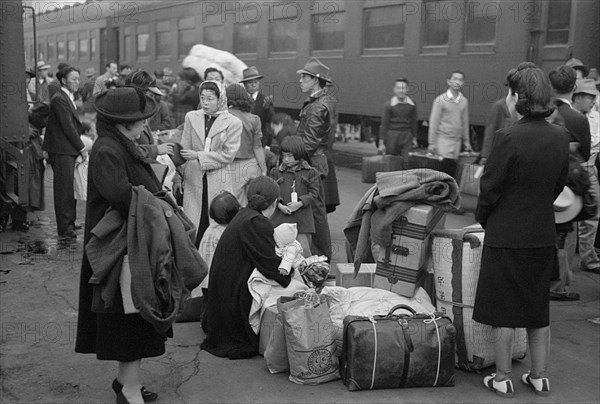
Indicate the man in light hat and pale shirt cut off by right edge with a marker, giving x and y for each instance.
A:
(584, 98)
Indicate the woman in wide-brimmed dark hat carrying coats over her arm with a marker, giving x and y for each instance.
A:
(116, 165)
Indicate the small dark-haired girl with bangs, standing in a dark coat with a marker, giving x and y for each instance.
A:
(299, 189)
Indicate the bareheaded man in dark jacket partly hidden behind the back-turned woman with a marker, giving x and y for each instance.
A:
(563, 81)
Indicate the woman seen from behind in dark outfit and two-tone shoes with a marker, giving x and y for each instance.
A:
(525, 172)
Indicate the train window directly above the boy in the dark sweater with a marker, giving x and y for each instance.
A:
(383, 27)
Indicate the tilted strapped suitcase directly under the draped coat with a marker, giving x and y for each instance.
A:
(403, 266)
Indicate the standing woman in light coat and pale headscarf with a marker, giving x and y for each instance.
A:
(211, 139)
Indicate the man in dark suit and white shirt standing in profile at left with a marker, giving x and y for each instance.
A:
(63, 144)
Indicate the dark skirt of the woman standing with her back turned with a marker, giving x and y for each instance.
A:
(513, 287)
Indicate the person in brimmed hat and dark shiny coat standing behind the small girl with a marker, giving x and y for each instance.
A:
(316, 128)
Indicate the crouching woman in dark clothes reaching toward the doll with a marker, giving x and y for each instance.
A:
(247, 243)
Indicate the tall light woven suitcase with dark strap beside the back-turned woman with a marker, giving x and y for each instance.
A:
(456, 263)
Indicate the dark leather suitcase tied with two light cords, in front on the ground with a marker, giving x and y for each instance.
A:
(398, 350)
